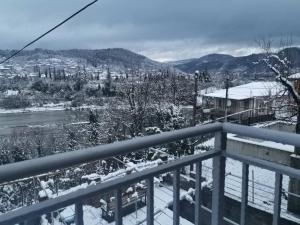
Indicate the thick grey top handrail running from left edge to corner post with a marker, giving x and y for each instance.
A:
(37, 166)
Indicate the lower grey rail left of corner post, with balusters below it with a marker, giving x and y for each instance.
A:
(41, 208)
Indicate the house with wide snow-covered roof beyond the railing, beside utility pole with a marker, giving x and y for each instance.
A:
(248, 100)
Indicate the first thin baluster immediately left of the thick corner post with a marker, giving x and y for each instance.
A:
(198, 196)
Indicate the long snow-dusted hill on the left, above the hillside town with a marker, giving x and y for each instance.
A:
(114, 56)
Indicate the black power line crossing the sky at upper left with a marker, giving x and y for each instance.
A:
(49, 31)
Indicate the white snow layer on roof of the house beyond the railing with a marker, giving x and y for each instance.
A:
(250, 90)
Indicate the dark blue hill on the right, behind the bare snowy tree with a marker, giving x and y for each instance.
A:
(250, 65)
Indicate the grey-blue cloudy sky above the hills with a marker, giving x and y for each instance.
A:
(159, 29)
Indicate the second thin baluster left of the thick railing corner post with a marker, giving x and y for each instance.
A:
(176, 200)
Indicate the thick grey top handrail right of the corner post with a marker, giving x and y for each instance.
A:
(264, 134)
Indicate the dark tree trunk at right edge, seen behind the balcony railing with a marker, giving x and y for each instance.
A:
(294, 184)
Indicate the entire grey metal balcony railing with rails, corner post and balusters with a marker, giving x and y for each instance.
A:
(34, 167)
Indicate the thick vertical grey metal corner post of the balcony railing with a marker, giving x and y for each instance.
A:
(218, 180)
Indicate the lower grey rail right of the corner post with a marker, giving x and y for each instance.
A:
(275, 167)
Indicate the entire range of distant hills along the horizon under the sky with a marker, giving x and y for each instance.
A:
(219, 64)
